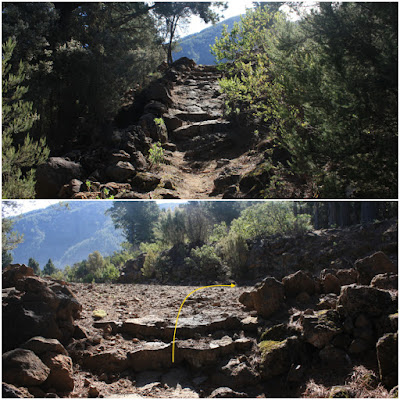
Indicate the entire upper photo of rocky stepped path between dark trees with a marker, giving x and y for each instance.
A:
(187, 100)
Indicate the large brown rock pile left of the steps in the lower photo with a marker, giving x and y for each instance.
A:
(40, 316)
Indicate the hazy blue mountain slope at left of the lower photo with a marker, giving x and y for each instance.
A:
(66, 234)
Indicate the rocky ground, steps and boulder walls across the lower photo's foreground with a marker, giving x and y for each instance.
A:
(335, 331)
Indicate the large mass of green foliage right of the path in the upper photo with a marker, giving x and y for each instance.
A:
(324, 89)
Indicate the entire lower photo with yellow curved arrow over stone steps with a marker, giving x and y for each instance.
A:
(182, 299)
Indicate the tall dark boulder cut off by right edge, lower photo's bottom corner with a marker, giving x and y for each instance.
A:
(387, 354)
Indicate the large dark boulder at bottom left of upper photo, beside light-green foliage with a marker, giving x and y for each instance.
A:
(52, 175)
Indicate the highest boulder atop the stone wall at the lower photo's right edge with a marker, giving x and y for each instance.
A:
(368, 267)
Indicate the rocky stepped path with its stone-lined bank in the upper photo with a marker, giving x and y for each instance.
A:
(205, 155)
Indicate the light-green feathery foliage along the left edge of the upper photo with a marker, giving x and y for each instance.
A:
(20, 153)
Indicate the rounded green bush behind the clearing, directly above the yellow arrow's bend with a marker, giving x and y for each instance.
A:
(204, 263)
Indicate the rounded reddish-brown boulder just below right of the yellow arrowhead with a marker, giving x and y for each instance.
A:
(268, 297)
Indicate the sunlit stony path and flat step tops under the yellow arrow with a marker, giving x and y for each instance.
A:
(156, 306)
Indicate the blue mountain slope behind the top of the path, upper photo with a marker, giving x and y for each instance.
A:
(197, 45)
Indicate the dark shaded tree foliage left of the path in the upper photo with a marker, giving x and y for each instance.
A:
(83, 57)
